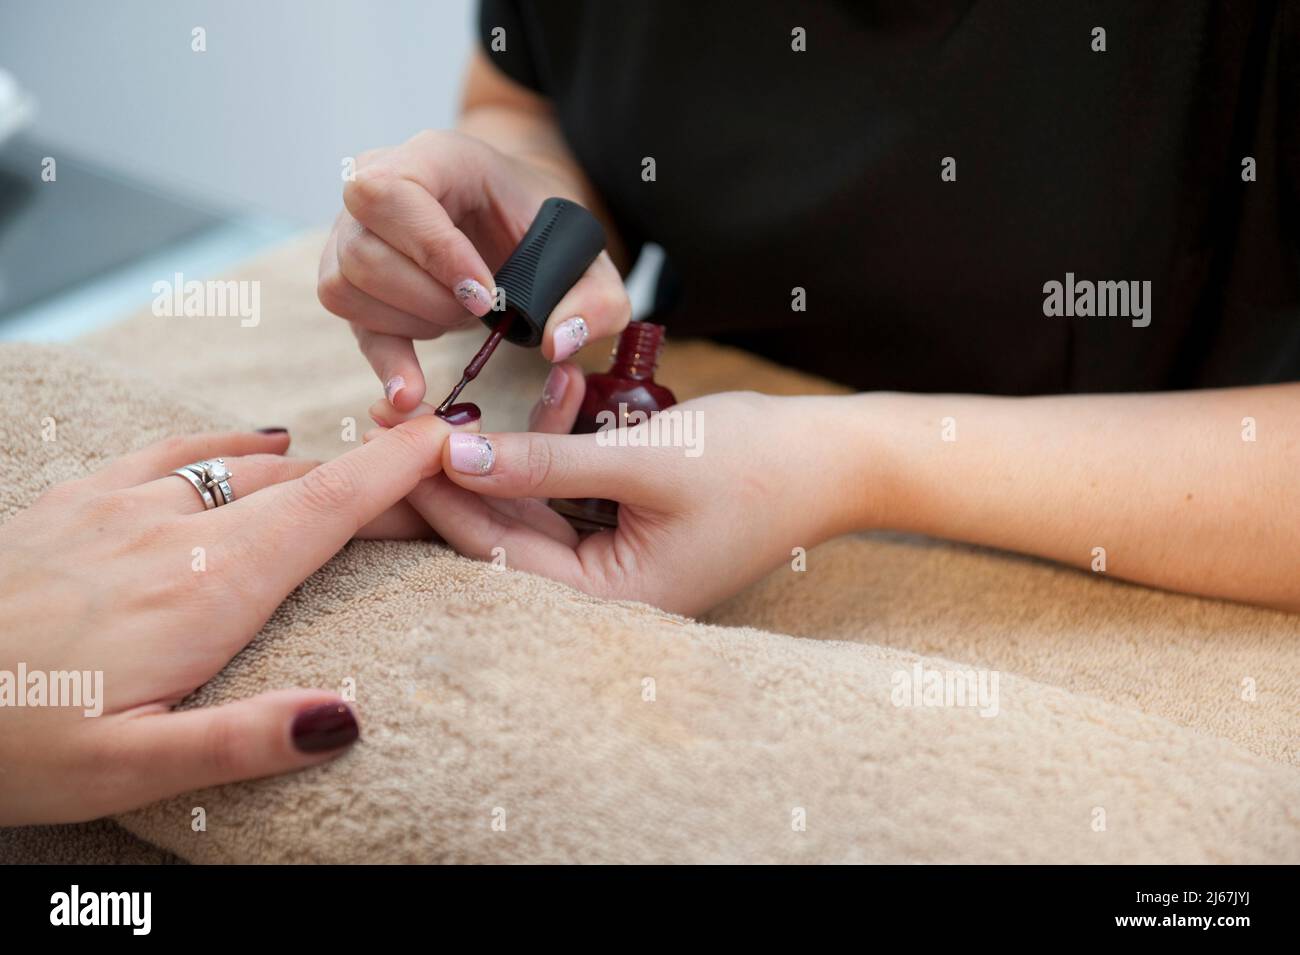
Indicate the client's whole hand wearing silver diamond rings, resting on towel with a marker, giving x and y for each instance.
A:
(127, 575)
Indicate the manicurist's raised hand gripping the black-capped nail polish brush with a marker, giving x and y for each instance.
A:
(426, 224)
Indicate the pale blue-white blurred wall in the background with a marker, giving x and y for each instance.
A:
(263, 119)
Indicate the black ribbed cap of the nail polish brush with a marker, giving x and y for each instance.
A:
(558, 248)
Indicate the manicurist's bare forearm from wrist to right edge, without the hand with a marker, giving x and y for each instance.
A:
(1197, 492)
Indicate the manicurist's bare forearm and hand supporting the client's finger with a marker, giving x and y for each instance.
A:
(1154, 488)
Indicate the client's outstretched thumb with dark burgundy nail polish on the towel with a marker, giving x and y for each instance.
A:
(159, 756)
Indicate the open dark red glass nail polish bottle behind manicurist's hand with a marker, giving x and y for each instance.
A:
(612, 398)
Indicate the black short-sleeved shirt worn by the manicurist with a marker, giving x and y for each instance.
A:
(822, 171)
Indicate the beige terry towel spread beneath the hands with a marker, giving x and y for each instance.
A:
(509, 719)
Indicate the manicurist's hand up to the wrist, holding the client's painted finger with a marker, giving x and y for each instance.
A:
(769, 477)
